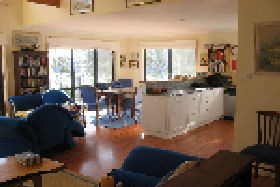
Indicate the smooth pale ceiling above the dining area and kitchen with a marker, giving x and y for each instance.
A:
(162, 20)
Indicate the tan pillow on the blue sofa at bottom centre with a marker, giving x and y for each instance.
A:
(184, 167)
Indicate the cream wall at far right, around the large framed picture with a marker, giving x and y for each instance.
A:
(262, 91)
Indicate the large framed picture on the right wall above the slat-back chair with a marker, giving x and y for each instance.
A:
(267, 47)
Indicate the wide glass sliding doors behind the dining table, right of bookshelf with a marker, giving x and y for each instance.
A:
(72, 68)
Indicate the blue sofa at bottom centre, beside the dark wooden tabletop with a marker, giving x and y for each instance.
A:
(146, 166)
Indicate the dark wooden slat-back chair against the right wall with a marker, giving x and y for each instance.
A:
(267, 150)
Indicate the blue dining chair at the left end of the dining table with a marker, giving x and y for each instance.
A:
(89, 96)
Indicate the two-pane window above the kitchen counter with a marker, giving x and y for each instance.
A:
(164, 64)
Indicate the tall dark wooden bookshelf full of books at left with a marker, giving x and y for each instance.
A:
(31, 72)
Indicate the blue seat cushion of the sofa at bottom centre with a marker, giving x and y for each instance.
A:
(134, 179)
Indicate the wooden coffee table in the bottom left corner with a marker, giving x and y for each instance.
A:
(12, 173)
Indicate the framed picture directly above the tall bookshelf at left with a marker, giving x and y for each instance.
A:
(26, 39)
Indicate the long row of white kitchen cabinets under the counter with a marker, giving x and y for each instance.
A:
(170, 115)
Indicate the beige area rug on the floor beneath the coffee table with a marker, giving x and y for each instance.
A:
(65, 178)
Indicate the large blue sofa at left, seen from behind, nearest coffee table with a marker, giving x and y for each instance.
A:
(46, 127)
